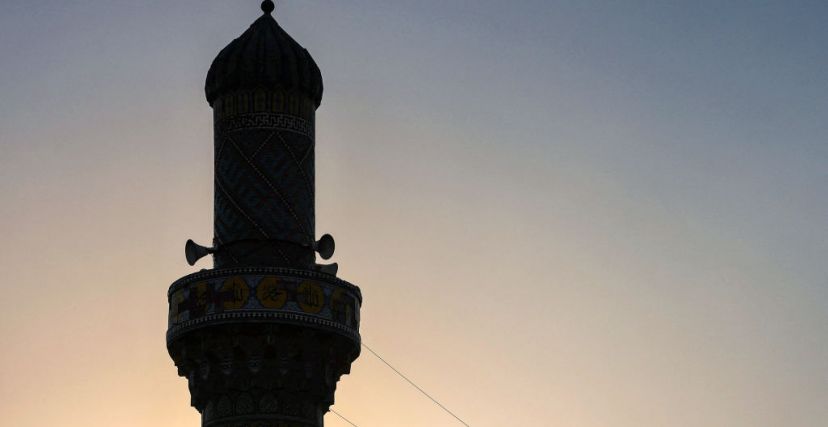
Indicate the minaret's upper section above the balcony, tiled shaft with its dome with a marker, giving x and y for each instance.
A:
(264, 89)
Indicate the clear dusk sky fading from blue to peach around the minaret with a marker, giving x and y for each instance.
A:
(560, 213)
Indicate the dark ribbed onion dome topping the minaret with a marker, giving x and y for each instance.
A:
(265, 56)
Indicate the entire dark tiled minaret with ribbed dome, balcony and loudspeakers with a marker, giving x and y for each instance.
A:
(265, 335)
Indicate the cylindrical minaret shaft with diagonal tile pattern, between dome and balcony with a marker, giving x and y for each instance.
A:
(264, 189)
